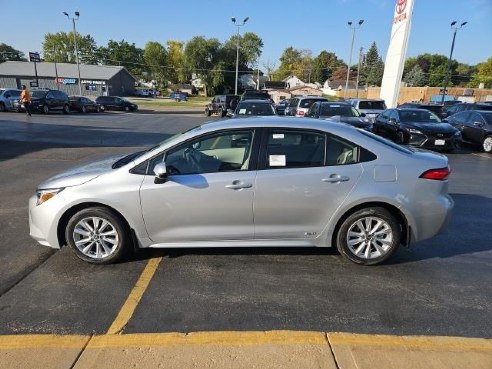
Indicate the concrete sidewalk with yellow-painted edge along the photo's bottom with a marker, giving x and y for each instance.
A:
(273, 349)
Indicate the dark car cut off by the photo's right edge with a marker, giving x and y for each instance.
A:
(475, 127)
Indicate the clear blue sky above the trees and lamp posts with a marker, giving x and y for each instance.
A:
(303, 24)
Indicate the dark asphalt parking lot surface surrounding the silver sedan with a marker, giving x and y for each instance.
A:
(442, 286)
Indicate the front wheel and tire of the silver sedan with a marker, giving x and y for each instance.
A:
(107, 238)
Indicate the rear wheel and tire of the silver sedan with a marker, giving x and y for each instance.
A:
(369, 247)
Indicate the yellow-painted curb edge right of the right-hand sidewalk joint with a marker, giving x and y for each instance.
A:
(412, 342)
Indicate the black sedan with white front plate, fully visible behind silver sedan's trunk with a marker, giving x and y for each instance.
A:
(417, 127)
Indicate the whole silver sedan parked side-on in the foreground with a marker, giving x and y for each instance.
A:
(263, 181)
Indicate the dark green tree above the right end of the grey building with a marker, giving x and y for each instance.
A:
(124, 54)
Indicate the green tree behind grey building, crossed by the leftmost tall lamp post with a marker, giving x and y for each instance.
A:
(60, 47)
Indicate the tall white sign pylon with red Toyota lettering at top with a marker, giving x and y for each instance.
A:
(397, 50)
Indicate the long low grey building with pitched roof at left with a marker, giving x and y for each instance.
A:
(96, 80)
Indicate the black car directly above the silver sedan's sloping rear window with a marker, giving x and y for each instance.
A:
(339, 111)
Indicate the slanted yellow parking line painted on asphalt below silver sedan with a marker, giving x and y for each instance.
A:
(133, 299)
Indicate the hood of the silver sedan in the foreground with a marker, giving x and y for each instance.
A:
(80, 175)
